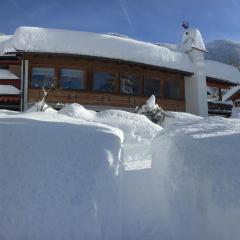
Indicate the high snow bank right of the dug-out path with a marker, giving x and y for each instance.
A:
(196, 173)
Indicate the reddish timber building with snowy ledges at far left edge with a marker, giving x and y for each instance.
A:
(9, 90)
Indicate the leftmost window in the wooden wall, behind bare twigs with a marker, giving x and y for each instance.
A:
(42, 77)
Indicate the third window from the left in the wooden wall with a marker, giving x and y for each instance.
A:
(103, 81)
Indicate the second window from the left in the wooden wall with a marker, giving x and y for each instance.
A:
(72, 79)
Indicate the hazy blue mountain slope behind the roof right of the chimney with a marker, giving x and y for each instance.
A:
(225, 51)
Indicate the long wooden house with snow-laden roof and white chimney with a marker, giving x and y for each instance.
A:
(104, 70)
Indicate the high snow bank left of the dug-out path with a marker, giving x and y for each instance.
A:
(58, 178)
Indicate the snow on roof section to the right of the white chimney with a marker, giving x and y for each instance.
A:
(222, 71)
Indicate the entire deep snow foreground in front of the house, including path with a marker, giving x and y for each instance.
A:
(77, 174)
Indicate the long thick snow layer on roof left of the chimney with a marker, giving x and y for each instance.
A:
(32, 39)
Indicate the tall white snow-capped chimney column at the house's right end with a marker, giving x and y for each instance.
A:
(195, 86)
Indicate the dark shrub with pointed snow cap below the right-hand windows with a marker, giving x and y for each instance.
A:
(152, 111)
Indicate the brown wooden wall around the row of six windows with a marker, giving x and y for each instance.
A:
(88, 97)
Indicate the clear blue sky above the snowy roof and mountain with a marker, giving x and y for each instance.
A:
(148, 20)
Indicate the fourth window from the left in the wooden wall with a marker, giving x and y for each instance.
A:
(129, 84)
